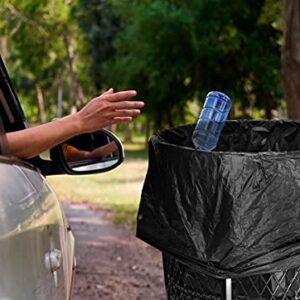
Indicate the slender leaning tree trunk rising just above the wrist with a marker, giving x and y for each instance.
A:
(75, 87)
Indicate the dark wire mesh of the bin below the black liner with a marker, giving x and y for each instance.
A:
(184, 283)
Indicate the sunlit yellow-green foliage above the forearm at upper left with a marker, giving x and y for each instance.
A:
(36, 32)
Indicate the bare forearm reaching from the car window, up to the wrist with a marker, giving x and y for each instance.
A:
(30, 142)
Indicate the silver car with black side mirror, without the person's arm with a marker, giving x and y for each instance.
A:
(36, 241)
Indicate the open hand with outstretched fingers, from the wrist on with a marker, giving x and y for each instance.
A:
(107, 109)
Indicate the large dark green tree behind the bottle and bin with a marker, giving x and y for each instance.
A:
(175, 51)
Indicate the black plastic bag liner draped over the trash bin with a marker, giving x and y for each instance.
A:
(232, 212)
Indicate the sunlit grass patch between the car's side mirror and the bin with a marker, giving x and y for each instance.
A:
(118, 190)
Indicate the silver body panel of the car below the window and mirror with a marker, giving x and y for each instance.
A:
(32, 224)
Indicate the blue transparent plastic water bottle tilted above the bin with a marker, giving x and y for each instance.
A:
(211, 121)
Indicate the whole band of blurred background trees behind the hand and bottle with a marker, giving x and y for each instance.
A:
(173, 52)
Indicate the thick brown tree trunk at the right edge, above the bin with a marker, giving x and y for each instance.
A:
(290, 58)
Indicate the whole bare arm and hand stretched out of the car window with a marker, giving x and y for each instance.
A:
(105, 110)
